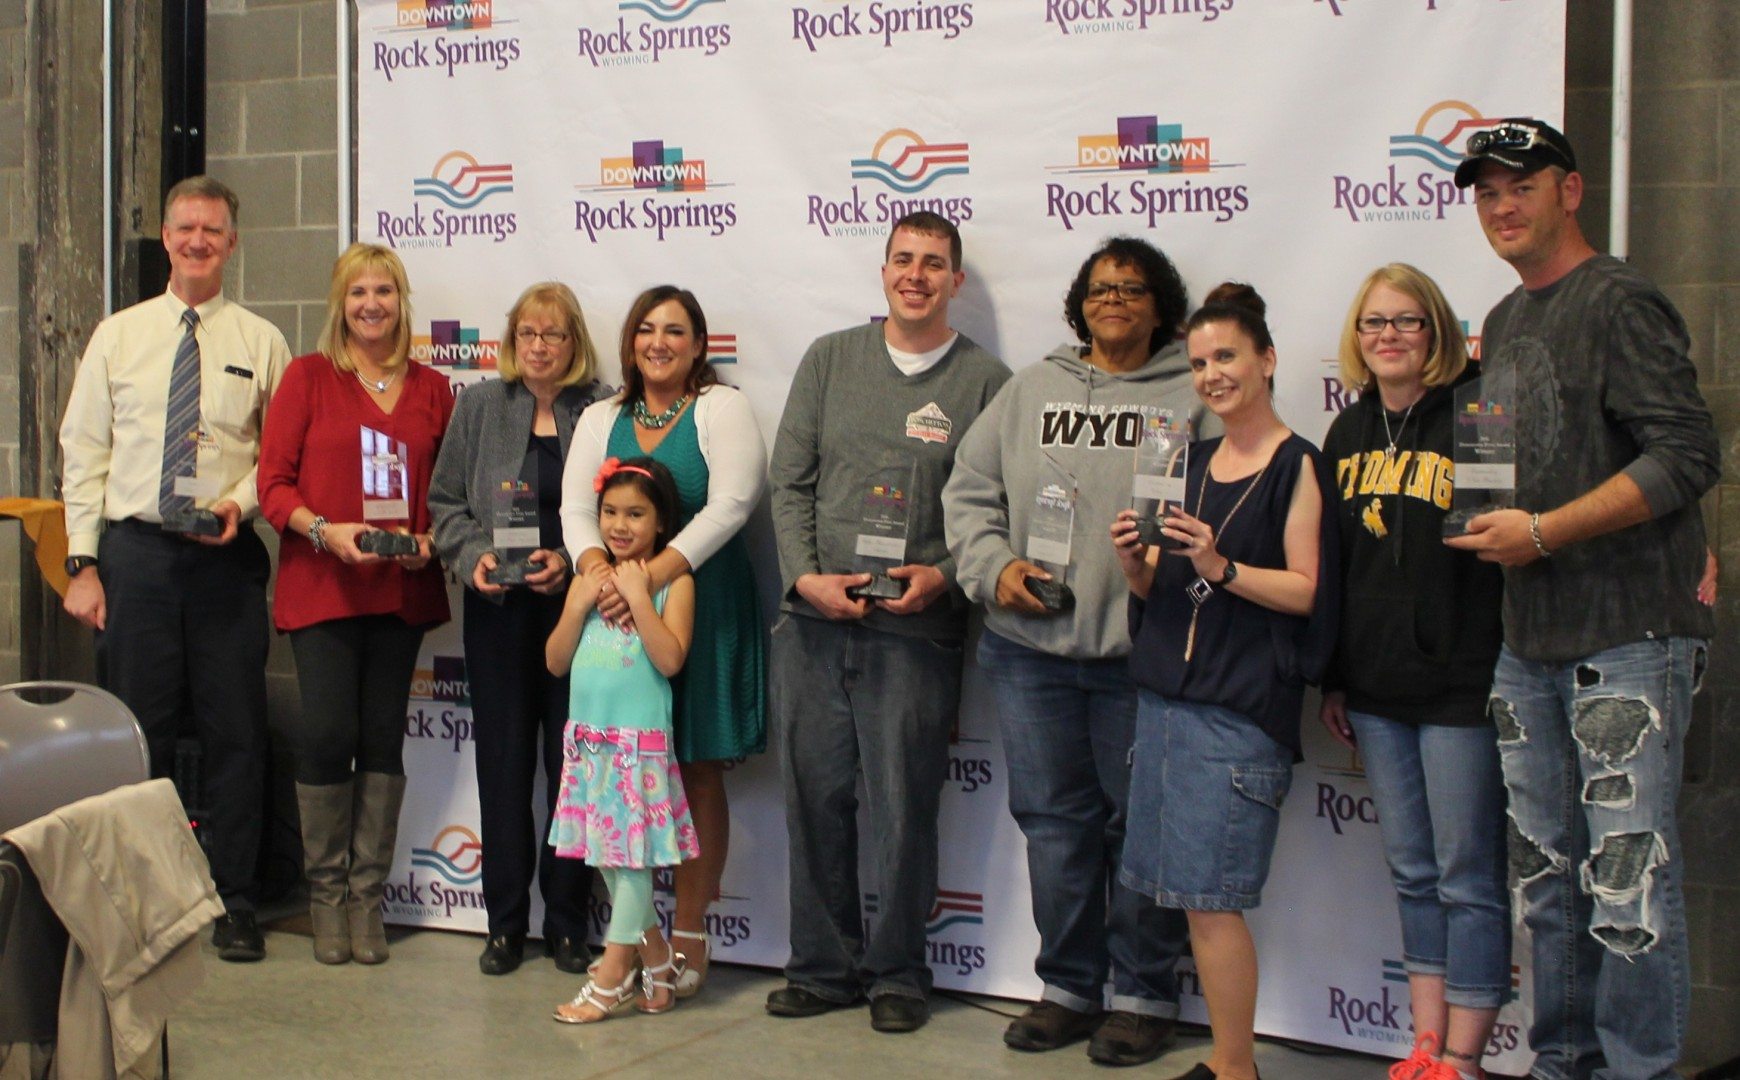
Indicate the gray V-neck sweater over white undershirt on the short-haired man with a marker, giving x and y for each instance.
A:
(853, 418)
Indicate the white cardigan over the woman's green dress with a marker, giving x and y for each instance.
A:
(737, 460)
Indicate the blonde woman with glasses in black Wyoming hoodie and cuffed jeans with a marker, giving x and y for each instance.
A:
(1421, 634)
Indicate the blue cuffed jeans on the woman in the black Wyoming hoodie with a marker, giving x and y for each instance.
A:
(1442, 810)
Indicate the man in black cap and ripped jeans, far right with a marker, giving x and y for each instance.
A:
(1605, 637)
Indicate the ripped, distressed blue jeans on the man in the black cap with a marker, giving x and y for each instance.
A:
(1593, 756)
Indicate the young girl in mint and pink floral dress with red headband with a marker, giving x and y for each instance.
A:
(622, 806)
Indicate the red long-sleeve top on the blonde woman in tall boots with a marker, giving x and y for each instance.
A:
(311, 457)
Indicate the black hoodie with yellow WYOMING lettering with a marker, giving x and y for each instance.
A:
(1421, 622)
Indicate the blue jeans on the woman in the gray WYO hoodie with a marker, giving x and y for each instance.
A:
(1067, 731)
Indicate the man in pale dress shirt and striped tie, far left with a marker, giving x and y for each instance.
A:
(164, 423)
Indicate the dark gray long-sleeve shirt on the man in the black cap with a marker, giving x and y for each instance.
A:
(1605, 385)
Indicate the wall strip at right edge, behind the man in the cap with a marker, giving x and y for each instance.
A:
(1685, 234)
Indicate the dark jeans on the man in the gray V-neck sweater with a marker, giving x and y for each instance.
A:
(848, 702)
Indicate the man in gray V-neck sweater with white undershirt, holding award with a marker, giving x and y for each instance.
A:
(871, 686)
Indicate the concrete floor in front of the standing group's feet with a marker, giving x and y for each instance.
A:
(429, 1013)
